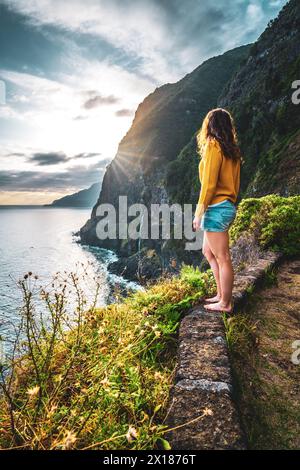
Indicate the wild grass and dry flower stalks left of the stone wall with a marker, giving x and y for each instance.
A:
(101, 378)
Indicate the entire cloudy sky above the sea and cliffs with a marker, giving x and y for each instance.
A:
(75, 71)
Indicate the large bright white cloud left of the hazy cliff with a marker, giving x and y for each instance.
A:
(54, 116)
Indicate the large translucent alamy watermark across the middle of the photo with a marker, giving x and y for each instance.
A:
(138, 222)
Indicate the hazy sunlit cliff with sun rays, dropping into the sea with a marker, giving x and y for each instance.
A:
(163, 124)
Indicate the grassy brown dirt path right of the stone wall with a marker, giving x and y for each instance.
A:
(268, 382)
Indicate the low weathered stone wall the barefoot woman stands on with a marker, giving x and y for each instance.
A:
(201, 405)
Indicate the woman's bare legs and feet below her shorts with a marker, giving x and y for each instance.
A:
(219, 245)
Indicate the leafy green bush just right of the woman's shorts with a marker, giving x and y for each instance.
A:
(274, 221)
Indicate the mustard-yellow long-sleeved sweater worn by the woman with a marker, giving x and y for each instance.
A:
(219, 177)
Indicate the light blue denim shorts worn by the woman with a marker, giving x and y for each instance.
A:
(218, 217)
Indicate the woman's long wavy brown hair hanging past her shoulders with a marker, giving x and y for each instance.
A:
(219, 124)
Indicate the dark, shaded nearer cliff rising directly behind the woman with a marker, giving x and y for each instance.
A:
(260, 99)
